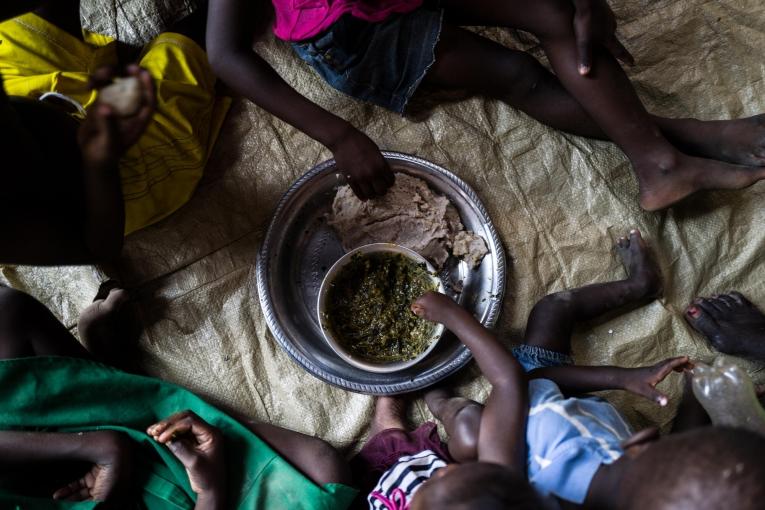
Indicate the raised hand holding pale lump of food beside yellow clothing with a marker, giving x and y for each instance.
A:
(116, 122)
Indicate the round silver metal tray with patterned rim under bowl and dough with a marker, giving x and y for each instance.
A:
(300, 247)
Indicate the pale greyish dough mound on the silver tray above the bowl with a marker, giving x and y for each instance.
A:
(410, 215)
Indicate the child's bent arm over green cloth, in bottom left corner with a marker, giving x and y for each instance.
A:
(109, 452)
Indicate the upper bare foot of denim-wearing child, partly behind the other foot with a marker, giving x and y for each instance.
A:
(738, 141)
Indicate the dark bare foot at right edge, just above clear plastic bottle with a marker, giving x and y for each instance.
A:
(731, 323)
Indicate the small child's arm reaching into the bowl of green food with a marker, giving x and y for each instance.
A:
(502, 435)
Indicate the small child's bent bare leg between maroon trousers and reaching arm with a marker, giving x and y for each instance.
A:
(462, 420)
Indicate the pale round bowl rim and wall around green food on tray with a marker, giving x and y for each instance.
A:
(329, 336)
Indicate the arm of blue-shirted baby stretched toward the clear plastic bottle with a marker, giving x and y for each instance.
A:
(641, 381)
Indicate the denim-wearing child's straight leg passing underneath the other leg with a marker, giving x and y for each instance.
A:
(466, 60)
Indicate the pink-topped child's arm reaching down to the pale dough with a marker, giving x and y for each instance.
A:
(229, 46)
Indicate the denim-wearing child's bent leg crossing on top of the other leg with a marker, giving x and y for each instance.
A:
(665, 174)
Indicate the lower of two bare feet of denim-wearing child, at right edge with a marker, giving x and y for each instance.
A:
(667, 180)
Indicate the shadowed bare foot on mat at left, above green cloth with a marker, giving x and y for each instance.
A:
(106, 330)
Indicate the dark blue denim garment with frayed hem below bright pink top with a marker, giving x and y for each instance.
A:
(381, 63)
